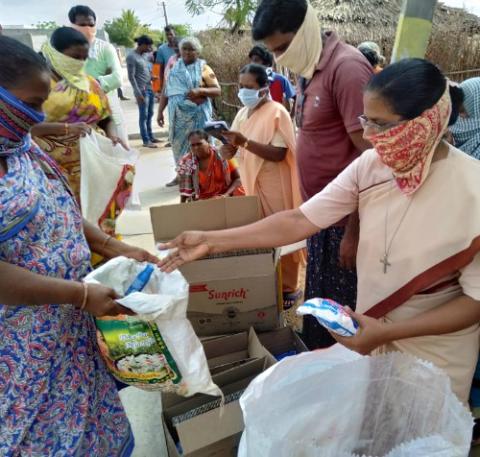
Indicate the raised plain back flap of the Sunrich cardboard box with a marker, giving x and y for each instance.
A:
(170, 220)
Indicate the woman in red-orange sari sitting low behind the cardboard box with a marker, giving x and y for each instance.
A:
(204, 174)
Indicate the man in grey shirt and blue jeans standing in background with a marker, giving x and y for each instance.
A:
(140, 78)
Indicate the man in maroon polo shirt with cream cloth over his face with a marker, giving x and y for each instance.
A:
(333, 76)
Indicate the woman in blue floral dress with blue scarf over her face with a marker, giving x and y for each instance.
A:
(56, 395)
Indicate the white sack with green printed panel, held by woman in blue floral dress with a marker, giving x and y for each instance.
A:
(158, 349)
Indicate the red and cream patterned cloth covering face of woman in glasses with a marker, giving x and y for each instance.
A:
(408, 149)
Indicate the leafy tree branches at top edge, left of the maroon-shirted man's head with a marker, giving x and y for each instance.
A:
(236, 13)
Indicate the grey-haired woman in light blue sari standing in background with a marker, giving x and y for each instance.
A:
(190, 86)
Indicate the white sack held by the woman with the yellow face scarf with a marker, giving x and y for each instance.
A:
(102, 169)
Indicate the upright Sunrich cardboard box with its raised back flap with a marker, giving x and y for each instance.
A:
(232, 292)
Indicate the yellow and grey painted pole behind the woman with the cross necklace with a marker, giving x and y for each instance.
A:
(414, 29)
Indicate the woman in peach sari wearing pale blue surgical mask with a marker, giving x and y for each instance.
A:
(263, 136)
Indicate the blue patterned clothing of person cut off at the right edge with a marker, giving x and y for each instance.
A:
(466, 131)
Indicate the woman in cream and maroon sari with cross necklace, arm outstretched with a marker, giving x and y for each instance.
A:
(418, 268)
